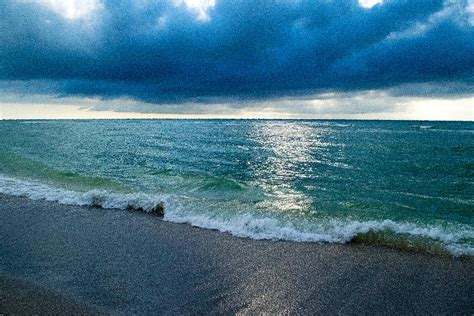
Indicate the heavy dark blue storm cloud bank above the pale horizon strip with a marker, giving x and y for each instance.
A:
(163, 52)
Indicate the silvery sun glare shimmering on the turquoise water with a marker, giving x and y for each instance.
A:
(290, 149)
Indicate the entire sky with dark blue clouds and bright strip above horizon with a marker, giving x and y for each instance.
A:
(376, 59)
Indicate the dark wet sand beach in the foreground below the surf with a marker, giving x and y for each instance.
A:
(67, 259)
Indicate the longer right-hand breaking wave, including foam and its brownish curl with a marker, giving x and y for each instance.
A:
(435, 239)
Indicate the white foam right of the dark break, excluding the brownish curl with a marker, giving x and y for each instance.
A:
(331, 231)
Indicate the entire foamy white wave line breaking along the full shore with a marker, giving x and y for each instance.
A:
(456, 240)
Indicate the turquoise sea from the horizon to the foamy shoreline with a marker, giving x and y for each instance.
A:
(402, 184)
